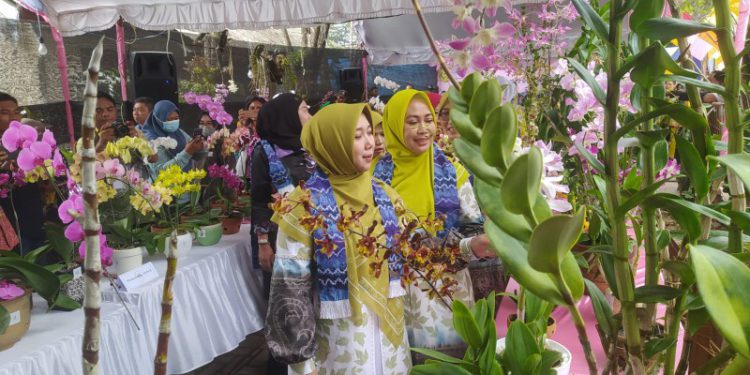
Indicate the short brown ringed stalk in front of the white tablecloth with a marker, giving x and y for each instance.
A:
(165, 325)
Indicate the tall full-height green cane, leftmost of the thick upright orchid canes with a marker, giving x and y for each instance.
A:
(623, 271)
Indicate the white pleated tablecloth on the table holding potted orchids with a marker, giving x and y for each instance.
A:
(217, 303)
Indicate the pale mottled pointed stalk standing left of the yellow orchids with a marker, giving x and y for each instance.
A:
(91, 226)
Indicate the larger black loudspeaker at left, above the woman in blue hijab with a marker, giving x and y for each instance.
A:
(154, 74)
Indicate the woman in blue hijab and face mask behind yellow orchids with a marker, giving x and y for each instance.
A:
(164, 122)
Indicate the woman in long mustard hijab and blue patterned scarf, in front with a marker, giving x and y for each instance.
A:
(359, 328)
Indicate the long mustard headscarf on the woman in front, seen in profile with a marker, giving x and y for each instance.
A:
(329, 138)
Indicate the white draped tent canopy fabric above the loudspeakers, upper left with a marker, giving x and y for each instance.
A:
(75, 17)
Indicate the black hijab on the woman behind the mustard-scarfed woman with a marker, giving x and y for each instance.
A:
(278, 122)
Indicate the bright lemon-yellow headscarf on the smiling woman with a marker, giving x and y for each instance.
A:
(413, 175)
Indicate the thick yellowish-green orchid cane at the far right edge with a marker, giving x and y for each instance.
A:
(725, 39)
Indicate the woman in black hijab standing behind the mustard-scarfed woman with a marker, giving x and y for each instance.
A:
(278, 164)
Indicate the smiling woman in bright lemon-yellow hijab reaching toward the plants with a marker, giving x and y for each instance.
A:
(430, 186)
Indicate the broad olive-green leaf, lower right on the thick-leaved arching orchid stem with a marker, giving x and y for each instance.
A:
(553, 239)
